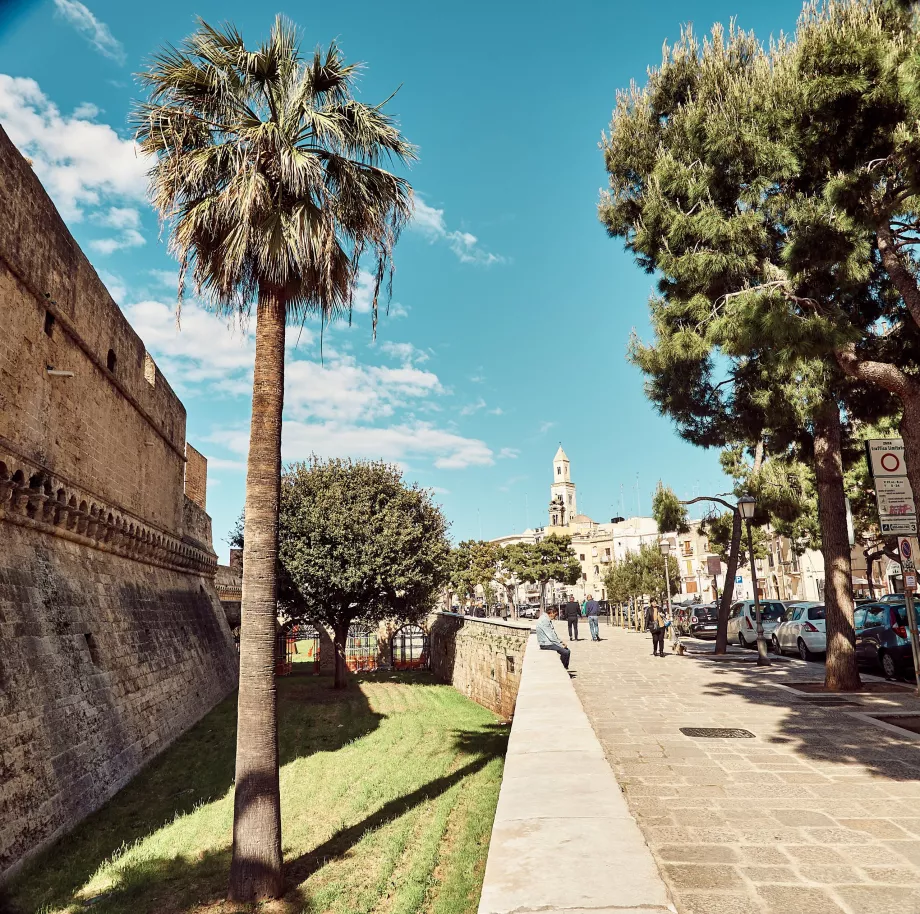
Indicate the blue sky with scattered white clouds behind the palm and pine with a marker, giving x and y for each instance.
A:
(512, 309)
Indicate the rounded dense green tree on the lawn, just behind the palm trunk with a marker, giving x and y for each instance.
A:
(359, 544)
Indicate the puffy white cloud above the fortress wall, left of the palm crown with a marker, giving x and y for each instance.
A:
(81, 163)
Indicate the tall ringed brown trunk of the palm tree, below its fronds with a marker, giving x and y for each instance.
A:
(255, 870)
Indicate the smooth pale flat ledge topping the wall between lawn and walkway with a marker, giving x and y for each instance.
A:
(563, 837)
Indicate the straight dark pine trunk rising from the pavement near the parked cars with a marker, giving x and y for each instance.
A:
(841, 671)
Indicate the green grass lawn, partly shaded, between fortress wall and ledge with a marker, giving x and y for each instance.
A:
(388, 793)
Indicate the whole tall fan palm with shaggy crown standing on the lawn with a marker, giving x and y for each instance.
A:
(268, 176)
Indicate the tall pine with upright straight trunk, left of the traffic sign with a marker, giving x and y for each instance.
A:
(702, 191)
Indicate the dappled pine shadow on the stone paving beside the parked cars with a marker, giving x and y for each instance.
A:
(821, 732)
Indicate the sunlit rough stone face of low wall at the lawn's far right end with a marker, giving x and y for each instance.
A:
(481, 658)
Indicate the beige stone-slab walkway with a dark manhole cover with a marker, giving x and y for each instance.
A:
(818, 814)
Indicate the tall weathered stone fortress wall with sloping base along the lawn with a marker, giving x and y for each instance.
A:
(112, 639)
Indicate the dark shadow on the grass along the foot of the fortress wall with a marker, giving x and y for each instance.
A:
(195, 770)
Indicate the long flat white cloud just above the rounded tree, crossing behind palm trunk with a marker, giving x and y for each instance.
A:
(397, 443)
